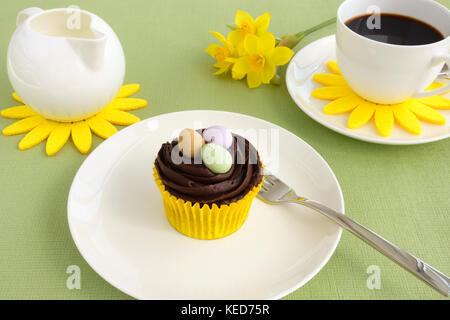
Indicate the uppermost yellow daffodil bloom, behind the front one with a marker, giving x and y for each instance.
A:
(247, 25)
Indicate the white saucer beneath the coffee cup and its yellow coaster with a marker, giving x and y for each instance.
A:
(312, 59)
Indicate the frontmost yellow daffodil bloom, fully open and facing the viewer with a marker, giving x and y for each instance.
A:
(260, 59)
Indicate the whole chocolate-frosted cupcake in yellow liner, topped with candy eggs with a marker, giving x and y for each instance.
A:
(208, 179)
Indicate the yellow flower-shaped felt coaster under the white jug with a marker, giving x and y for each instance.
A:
(57, 134)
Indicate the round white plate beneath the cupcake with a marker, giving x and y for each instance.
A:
(117, 219)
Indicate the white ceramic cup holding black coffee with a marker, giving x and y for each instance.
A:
(388, 73)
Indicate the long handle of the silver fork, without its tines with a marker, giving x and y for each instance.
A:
(417, 267)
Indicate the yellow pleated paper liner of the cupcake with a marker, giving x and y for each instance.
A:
(207, 222)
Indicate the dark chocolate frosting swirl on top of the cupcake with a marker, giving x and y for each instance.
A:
(190, 180)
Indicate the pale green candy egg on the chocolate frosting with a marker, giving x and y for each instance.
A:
(216, 158)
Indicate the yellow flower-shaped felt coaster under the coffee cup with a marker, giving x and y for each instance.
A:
(407, 114)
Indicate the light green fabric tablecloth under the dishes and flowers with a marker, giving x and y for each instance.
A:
(401, 192)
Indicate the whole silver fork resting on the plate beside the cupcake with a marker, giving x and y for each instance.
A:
(275, 191)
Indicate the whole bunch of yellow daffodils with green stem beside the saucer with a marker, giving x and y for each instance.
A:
(250, 50)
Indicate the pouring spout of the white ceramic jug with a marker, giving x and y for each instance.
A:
(90, 51)
